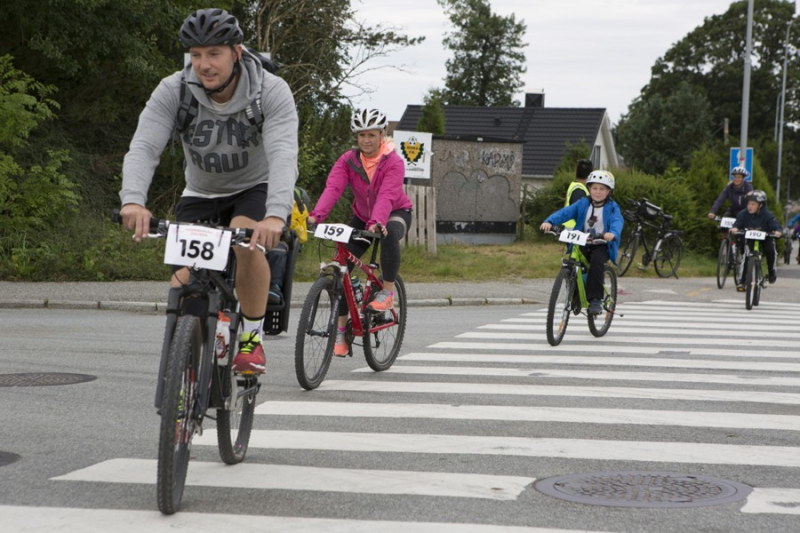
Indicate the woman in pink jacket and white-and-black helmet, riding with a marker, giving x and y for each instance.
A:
(375, 173)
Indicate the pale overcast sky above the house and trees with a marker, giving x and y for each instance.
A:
(582, 53)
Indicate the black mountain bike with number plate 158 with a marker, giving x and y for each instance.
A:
(200, 341)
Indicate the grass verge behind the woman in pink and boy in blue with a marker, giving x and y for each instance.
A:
(529, 259)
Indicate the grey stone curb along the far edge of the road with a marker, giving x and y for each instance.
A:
(156, 307)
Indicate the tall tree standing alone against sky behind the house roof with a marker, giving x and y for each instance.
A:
(488, 61)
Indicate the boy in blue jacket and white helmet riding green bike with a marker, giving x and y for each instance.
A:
(599, 216)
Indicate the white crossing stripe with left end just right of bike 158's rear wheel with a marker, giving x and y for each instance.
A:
(532, 414)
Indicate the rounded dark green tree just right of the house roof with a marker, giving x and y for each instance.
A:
(665, 129)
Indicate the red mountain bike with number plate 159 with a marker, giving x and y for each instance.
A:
(381, 332)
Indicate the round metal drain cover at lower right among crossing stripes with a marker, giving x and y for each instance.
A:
(643, 489)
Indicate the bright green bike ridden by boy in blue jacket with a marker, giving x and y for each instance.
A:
(569, 291)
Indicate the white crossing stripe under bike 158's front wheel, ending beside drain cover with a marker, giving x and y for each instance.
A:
(307, 478)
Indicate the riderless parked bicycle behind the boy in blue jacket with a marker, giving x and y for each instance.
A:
(666, 254)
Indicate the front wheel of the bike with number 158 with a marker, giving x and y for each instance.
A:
(178, 404)
